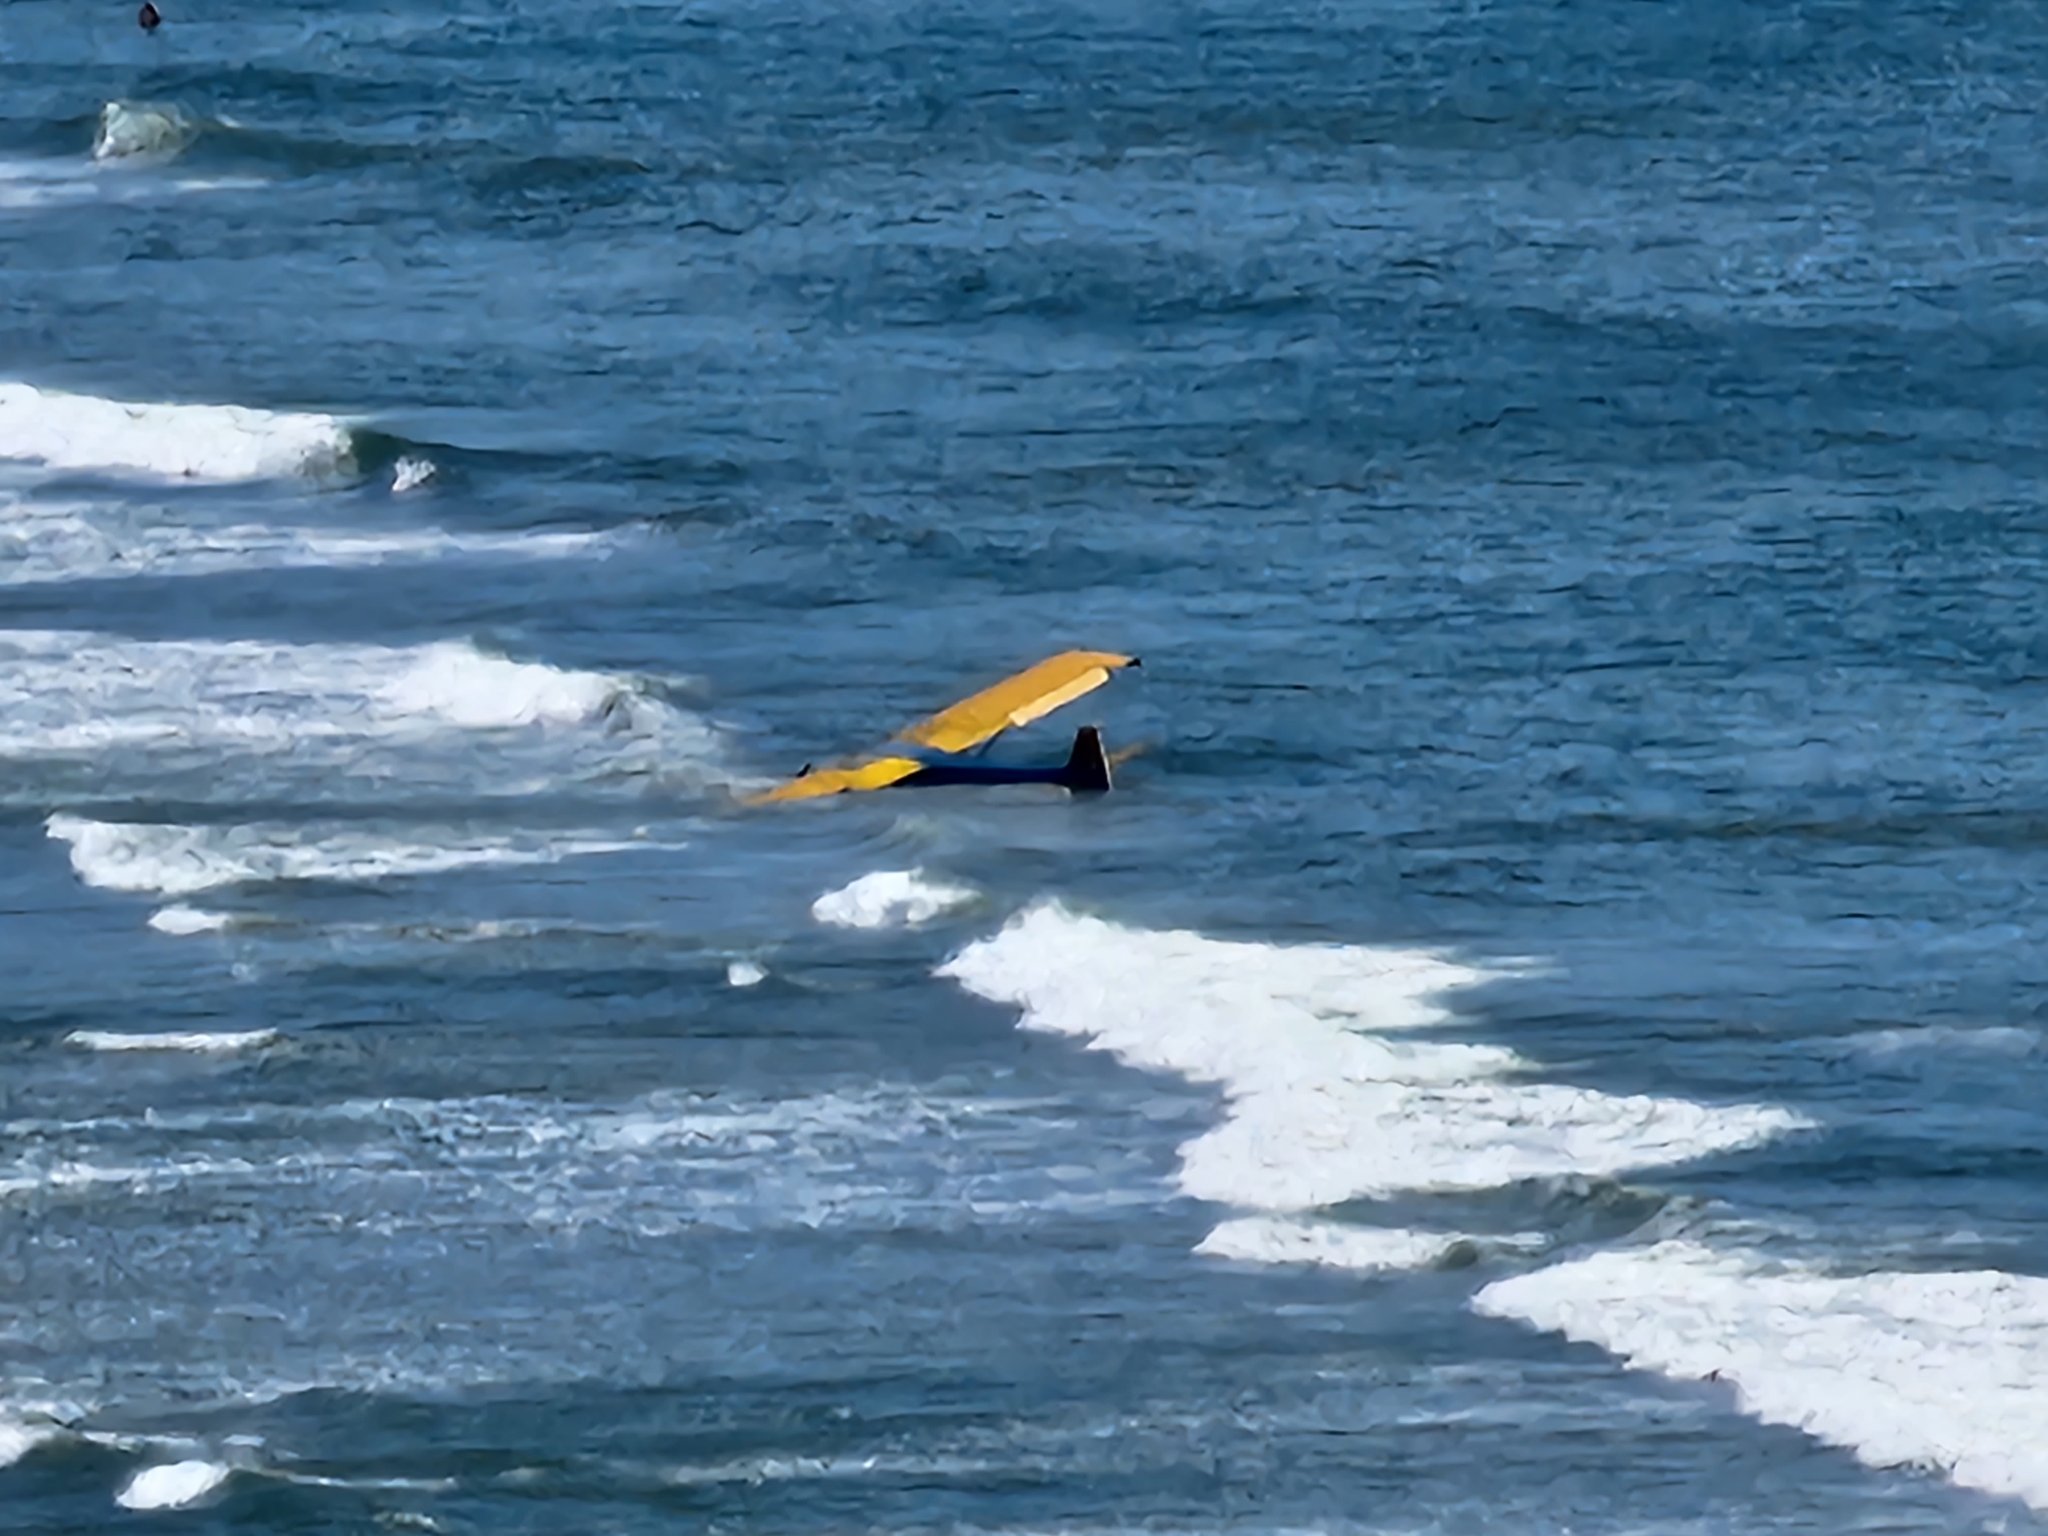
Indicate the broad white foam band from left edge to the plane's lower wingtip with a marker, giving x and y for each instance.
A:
(67, 693)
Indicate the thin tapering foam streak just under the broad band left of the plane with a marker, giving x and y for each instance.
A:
(181, 859)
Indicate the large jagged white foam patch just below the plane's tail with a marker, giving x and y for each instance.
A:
(1326, 1101)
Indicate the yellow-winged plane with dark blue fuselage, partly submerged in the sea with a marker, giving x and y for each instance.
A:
(947, 746)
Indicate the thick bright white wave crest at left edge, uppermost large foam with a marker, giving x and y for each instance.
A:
(216, 443)
